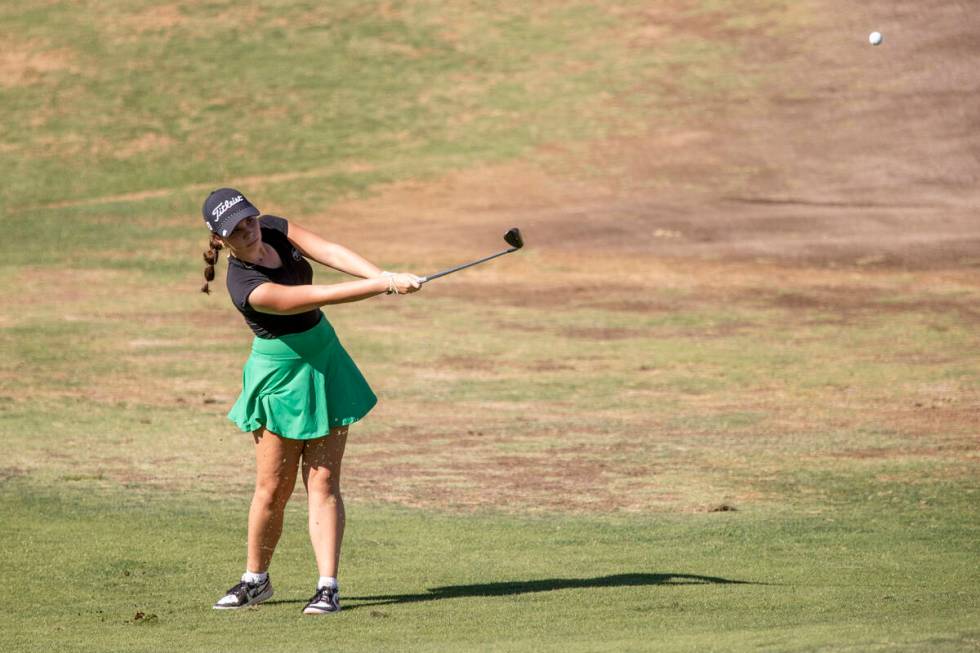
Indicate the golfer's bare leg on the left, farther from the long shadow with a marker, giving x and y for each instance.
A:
(276, 463)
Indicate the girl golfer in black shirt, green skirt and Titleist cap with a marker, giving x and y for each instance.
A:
(301, 390)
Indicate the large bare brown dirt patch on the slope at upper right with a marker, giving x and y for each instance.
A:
(819, 167)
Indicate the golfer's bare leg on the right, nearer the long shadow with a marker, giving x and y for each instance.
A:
(321, 476)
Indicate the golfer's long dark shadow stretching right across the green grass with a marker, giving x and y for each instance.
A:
(512, 588)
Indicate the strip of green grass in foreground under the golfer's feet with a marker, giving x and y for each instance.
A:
(114, 571)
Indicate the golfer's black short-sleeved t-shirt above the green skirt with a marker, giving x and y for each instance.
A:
(244, 277)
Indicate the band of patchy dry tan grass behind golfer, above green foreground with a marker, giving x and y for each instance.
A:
(661, 450)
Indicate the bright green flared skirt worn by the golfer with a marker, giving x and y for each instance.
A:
(301, 385)
